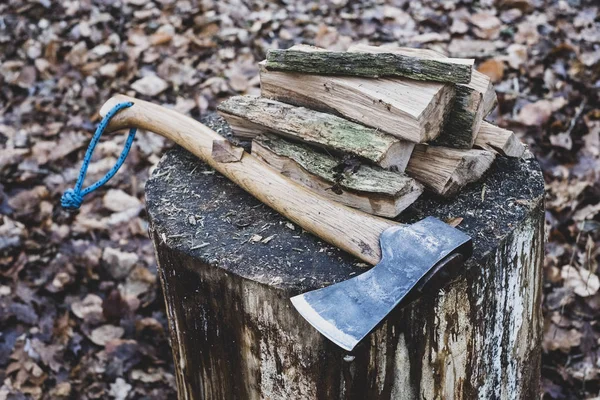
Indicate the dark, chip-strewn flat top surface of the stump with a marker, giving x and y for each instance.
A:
(197, 211)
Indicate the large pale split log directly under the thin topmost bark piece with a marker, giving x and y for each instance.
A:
(409, 110)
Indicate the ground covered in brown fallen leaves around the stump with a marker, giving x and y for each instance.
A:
(80, 307)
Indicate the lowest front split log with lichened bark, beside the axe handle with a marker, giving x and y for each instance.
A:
(370, 189)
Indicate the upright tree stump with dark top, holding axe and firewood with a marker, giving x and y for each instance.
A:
(228, 266)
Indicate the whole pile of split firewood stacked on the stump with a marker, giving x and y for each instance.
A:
(373, 126)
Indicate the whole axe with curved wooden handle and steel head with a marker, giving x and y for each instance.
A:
(408, 259)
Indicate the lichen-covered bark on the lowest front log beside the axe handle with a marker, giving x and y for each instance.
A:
(364, 178)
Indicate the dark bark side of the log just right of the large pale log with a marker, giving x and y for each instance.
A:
(459, 130)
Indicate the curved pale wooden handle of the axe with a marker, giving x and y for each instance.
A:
(351, 230)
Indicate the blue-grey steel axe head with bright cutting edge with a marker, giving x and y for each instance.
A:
(413, 257)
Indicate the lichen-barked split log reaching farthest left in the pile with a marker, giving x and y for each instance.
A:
(316, 128)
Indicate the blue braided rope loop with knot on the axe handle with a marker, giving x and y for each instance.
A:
(72, 198)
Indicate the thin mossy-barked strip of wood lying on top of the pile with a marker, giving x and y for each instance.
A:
(368, 65)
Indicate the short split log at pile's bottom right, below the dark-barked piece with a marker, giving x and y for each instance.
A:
(446, 171)
